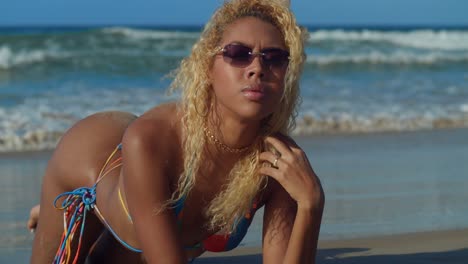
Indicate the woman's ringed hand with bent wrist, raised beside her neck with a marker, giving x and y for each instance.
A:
(292, 170)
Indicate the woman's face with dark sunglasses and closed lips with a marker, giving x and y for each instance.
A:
(249, 89)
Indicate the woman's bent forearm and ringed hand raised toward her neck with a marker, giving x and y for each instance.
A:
(293, 212)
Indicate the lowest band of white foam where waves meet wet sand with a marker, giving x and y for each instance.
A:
(307, 127)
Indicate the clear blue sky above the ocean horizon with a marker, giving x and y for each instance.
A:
(197, 12)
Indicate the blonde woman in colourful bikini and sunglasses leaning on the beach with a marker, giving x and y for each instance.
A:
(188, 176)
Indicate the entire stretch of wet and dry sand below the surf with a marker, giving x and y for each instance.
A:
(391, 198)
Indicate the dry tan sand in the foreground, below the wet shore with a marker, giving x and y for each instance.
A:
(418, 248)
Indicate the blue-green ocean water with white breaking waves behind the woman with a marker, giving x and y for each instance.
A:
(355, 80)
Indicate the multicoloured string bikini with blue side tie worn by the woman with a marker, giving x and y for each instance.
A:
(79, 202)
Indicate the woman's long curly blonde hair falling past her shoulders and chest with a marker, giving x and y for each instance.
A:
(192, 79)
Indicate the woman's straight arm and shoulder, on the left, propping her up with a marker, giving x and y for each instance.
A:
(147, 166)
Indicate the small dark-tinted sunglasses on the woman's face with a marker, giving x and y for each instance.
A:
(241, 56)
